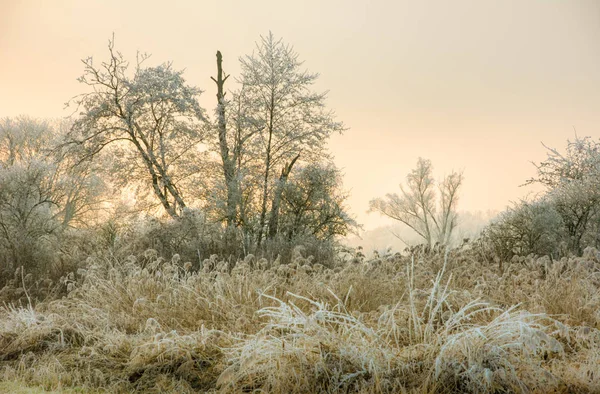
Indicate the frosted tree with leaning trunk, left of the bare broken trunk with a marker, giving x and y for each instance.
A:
(152, 122)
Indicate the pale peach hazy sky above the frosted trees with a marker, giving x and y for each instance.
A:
(473, 85)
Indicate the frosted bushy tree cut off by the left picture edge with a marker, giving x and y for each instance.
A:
(41, 194)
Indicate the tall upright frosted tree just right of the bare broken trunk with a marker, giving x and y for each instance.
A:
(289, 119)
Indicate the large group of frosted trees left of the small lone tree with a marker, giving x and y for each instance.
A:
(257, 170)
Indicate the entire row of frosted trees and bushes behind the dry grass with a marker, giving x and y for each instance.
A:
(253, 177)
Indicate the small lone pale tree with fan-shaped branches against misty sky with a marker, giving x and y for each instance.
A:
(417, 206)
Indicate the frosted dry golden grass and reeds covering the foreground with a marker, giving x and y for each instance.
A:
(443, 324)
